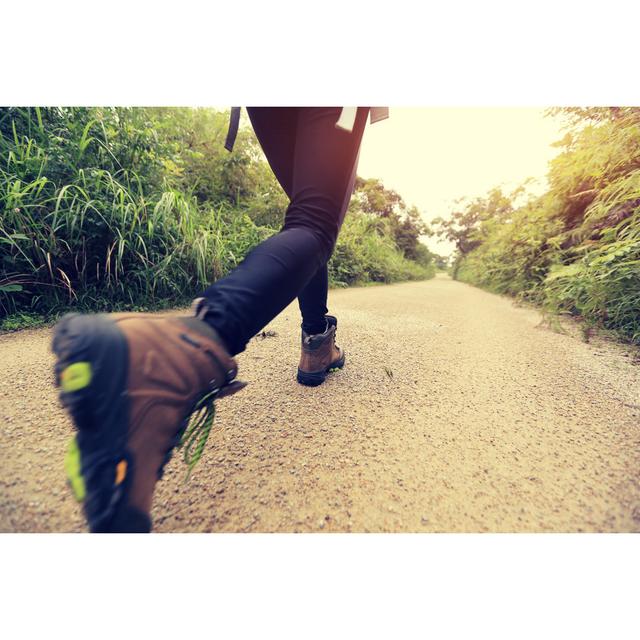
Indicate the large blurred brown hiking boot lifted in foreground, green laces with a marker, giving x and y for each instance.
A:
(131, 383)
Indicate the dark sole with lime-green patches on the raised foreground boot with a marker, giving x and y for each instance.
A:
(91, 373)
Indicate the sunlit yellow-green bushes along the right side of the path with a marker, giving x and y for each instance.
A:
(576, 248)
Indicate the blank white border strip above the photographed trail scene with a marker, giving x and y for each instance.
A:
(405, 53)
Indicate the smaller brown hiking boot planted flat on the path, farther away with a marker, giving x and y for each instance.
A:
(320, 355)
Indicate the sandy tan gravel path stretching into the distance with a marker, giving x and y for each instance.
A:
(457, 411)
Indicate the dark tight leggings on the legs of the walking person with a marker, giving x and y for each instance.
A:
(315, 163)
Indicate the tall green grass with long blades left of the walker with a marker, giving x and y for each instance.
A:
(104, 239)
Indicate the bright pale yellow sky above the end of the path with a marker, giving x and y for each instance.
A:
(432, 156)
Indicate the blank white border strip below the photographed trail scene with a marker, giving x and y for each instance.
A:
(319, 586)
